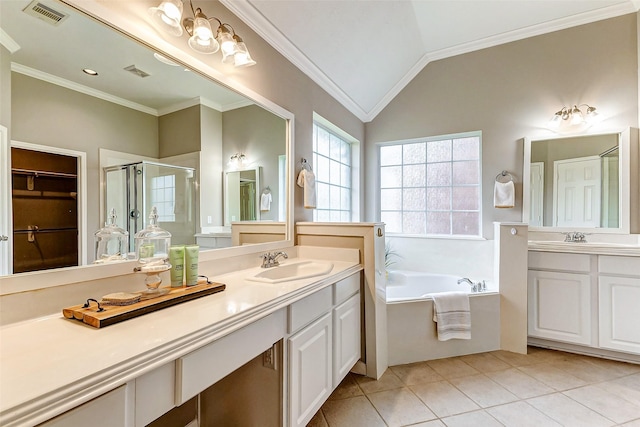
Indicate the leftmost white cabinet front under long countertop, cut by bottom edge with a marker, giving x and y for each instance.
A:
(107, 410)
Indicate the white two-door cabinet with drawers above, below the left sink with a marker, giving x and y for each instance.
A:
(322, 353)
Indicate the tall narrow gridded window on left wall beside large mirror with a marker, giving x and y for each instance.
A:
(332, 159)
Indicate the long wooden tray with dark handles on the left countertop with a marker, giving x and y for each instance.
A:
(114, 314)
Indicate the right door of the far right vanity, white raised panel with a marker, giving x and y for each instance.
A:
(619, 314)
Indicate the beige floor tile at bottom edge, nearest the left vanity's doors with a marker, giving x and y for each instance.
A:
(351, 412)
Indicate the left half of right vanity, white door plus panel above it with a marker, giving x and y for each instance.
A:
(559, 297)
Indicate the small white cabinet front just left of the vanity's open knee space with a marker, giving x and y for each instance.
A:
(155, 394)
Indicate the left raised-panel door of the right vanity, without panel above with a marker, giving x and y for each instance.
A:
(560, 306)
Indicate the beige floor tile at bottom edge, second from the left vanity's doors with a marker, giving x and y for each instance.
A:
(400, 407)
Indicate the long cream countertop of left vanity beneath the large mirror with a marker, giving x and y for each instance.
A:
(48, 359)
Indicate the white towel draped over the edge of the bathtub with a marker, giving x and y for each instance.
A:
(452, 315)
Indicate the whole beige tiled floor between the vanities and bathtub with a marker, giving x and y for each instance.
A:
(542, 388)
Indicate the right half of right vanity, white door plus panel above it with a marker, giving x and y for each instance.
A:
(619, 303)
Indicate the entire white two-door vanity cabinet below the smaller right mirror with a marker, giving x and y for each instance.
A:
(585, 300)
